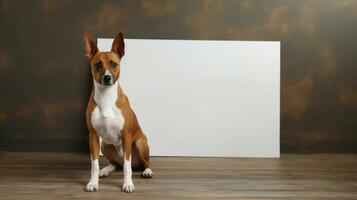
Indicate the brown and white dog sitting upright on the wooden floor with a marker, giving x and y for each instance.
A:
(110, 117)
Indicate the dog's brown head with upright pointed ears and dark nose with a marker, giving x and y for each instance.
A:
(105, 66)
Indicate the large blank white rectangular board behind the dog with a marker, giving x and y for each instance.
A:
(204, 98)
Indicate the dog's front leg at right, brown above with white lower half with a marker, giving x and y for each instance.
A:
(128, 185)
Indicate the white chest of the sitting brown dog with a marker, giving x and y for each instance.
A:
(107, 118)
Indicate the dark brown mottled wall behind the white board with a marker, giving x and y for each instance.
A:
(45, 79)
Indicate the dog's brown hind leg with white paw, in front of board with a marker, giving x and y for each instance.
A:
(144, 156)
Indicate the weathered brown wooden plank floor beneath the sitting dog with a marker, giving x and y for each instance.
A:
(63, 176)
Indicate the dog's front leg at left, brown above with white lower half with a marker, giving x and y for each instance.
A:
(94, 151)
